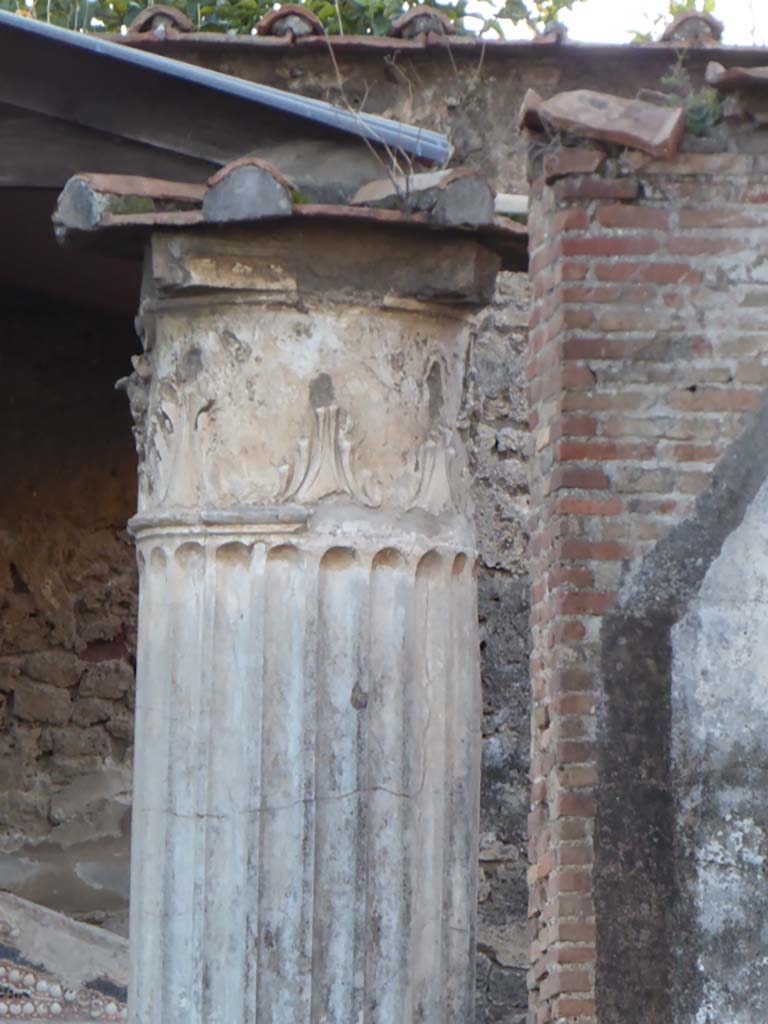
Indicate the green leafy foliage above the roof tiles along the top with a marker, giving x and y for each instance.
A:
(360, 18)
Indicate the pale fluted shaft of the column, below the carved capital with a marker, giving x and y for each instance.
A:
(307, 789)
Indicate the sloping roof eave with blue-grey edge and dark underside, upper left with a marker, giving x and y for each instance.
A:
(99, 83)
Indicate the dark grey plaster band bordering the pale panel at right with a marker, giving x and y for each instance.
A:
(651, 971)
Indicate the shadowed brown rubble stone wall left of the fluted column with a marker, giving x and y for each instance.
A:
(68, 599)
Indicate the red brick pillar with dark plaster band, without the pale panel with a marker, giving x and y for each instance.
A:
(647, 357)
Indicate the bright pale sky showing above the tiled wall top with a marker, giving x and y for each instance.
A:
(616, 21)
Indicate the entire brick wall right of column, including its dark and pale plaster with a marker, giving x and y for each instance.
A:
(647, 371)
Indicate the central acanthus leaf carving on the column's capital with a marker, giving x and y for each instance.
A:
(325, 465)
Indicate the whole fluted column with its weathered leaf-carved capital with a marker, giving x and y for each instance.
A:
(308, 719)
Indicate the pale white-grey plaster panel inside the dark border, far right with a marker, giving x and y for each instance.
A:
(720, 777)
